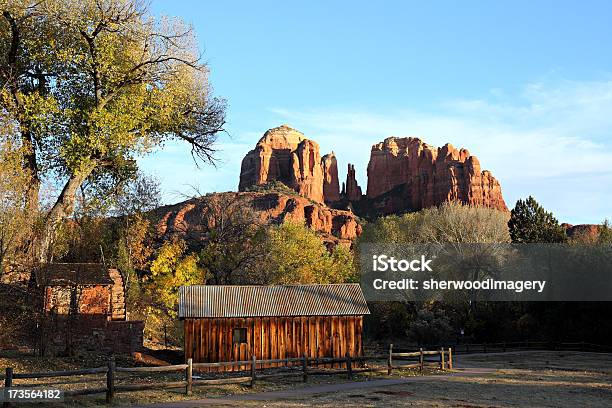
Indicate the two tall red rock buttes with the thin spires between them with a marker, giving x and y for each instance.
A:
(404, 174)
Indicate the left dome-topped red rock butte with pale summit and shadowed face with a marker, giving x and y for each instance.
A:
(284, 154)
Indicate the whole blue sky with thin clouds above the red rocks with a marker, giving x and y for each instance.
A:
(524, 85)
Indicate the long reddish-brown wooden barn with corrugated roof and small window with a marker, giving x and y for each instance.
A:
(231, 323)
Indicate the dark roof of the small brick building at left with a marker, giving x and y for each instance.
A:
(53, 274)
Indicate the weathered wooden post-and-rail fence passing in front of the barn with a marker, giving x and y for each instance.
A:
(349, 366)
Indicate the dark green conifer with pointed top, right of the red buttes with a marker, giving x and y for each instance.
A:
(530, 222)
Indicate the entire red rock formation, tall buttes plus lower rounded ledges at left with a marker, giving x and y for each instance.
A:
(404, 174)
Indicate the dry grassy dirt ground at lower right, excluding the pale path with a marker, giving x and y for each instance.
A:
(522, 379)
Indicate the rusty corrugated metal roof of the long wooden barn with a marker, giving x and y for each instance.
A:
(286, 300)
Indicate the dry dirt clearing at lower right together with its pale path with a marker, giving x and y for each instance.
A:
(517, 379)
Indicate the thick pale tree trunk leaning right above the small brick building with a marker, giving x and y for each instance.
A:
(63, 207)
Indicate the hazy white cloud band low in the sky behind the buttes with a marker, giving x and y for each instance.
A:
(553, 141)
